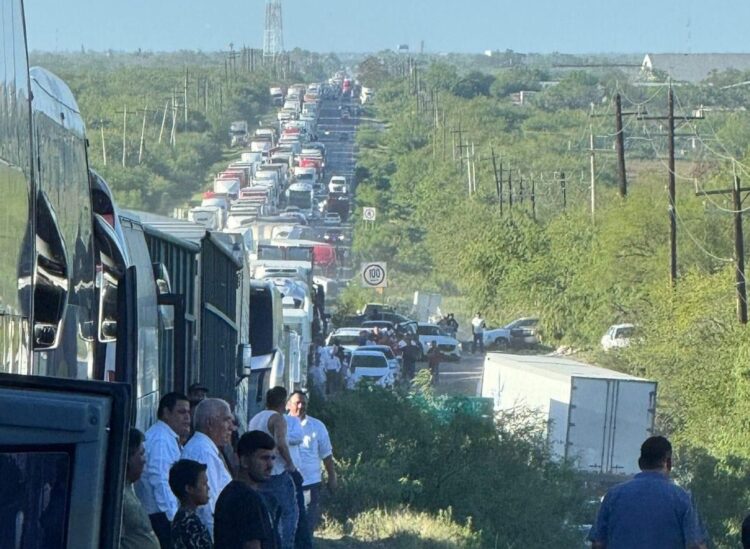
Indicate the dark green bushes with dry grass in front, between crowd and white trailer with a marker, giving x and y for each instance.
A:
(419, 470)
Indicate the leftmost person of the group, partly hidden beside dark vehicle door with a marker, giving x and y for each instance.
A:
(136, 532)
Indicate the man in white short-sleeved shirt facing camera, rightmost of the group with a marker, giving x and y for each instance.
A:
(315, 450)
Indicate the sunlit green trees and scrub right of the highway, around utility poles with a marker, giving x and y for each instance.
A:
(578, 272)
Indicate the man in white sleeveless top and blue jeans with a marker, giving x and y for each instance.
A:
(281, 484)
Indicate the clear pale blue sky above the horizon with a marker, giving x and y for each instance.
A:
(575, 26)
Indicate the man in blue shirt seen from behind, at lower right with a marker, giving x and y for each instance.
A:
(649, 511)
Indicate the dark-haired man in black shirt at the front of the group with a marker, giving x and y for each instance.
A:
(242, 519)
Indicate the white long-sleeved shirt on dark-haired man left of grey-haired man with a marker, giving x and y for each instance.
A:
(162, 446)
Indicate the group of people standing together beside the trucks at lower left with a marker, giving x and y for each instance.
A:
(192, 483)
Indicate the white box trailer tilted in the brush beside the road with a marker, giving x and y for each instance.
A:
(596, 418)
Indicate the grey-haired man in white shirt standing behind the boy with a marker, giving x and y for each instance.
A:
(214, 425)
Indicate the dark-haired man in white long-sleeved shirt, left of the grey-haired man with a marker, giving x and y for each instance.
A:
(162, 451)
